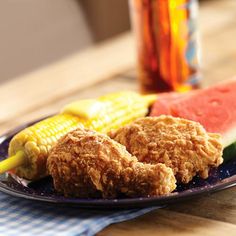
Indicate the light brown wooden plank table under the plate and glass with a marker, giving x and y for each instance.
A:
(111, 67)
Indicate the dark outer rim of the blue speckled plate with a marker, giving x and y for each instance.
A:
(123, 202)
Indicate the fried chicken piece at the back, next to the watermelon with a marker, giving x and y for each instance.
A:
(181, 144)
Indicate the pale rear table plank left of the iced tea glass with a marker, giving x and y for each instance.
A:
(65, 77)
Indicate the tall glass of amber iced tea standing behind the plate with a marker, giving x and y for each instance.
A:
(168, 50)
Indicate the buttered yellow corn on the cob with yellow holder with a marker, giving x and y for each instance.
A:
(29, 149)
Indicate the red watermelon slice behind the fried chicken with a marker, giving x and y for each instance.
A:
(213, 107)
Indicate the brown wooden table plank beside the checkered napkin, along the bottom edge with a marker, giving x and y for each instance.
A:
(165, 223)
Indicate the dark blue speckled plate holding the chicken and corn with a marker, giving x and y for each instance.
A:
(42, 190)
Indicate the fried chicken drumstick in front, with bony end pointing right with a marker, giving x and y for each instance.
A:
(87, 164)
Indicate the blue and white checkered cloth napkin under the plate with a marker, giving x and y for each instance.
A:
(26, 218)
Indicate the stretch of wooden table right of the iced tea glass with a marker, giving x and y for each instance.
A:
(217, 30)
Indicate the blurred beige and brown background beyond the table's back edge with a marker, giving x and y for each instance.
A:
(36, 33)
